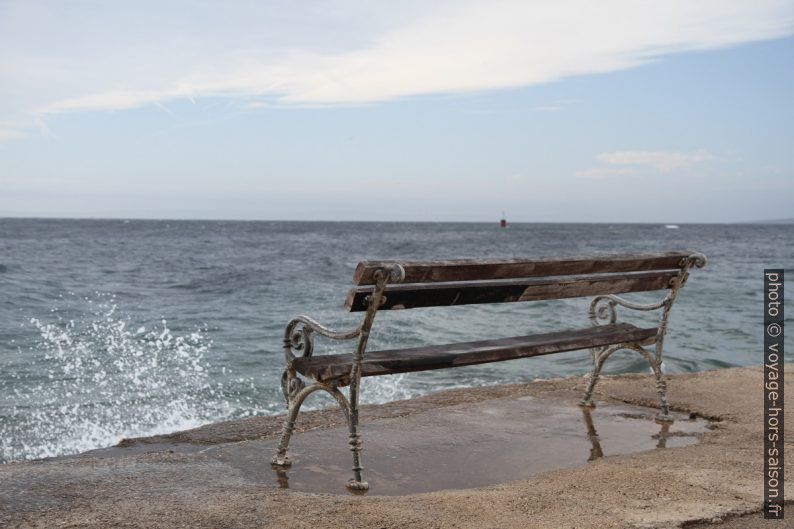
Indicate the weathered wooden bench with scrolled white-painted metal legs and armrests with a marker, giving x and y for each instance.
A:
(392, 285)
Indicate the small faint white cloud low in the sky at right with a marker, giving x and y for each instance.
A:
(635, 162)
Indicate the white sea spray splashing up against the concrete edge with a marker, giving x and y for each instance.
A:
(89, 383)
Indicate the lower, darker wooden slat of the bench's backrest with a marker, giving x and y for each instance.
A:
(414, 295)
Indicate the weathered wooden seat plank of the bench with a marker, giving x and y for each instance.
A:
(337, 367)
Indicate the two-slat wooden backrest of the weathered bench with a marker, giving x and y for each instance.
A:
(468, 281)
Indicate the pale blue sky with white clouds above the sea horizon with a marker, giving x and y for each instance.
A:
(578, 111)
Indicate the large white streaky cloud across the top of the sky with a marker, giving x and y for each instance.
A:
(339, 52)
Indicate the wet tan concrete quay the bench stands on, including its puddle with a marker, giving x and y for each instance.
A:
(218, 475)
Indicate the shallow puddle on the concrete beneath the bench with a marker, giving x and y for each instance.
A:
(464, 446)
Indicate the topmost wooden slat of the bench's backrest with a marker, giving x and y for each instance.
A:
(481, 269)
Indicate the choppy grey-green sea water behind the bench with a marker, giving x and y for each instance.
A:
(123, 328)
